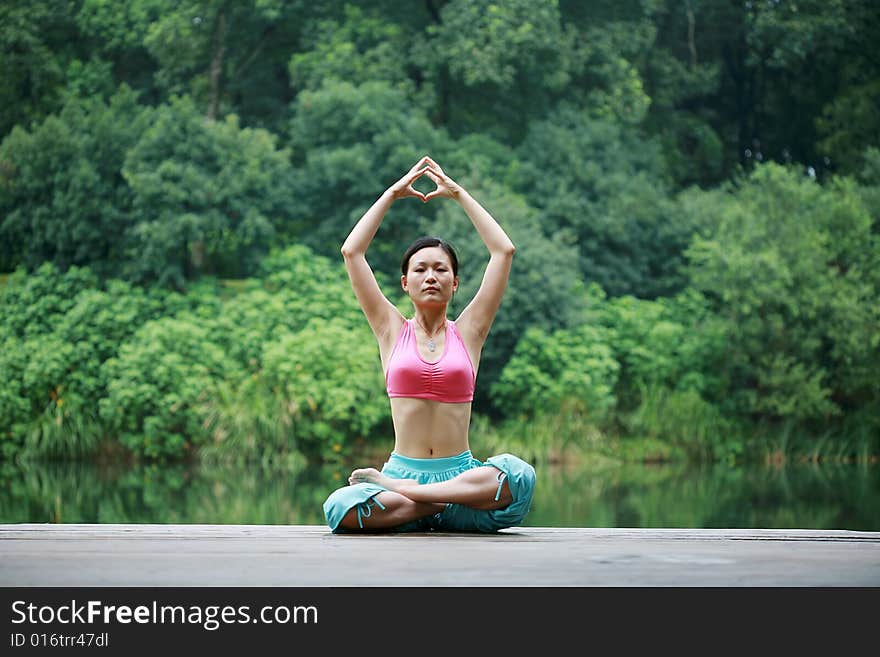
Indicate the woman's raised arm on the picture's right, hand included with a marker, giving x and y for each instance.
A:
(476, 319)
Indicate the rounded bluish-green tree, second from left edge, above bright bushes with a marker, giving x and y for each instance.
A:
(208, 197)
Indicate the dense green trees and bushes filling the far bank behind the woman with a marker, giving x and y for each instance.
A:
(693, 189)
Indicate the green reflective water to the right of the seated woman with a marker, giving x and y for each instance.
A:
(677, 496)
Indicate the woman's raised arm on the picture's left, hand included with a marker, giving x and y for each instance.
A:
(380, 312)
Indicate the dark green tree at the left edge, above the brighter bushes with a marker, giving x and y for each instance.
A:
(62, 195)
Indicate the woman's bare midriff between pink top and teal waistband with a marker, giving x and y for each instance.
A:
(425, 429)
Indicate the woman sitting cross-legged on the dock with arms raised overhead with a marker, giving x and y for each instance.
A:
(431, 481)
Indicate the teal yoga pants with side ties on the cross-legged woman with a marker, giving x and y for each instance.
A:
(520, 478)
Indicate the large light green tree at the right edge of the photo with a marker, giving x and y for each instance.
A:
(791, 265)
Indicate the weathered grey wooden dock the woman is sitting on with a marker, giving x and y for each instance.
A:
(59, 555)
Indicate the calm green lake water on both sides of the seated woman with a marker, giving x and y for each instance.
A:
(813, 496)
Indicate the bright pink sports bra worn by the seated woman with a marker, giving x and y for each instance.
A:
(450, 379)
